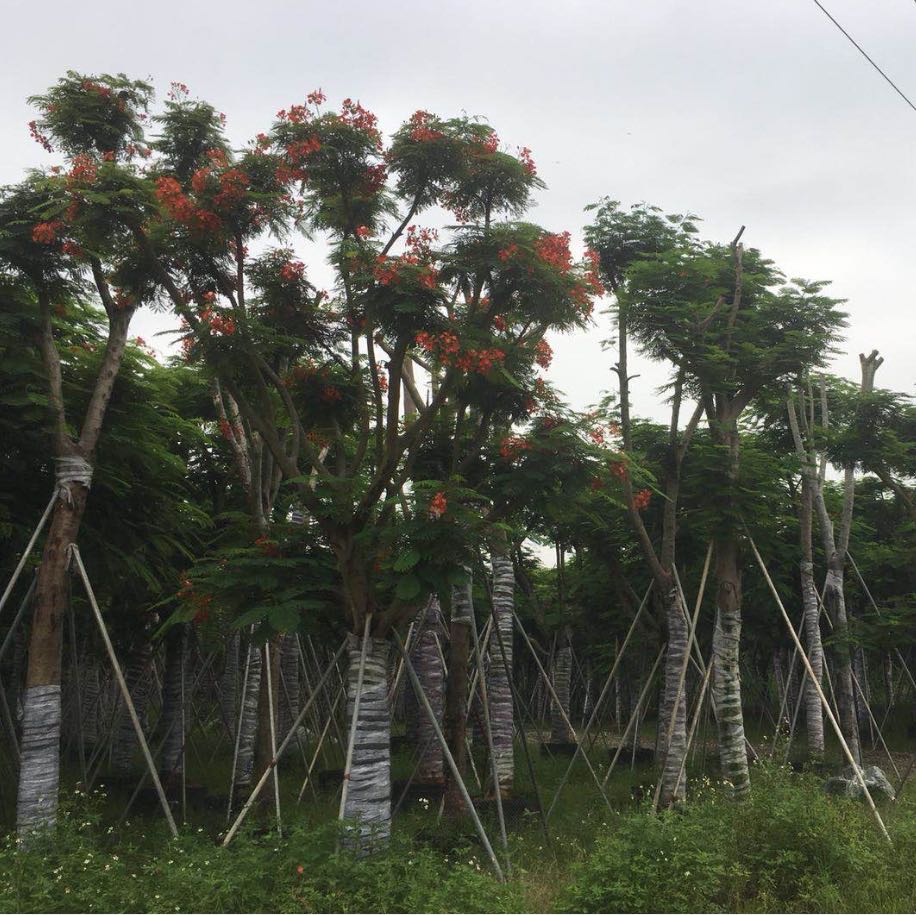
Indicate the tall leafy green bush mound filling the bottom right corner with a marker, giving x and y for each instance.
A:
(788, 848)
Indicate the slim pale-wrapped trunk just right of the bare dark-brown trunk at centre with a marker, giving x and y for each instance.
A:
(499, 686)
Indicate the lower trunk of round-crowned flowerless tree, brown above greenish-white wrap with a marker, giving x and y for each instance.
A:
(726, 673)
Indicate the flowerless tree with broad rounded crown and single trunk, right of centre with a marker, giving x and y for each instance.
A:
(727, 318)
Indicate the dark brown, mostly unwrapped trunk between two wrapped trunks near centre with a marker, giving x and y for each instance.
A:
(456, 695)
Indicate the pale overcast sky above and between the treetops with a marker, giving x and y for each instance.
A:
(744, 113)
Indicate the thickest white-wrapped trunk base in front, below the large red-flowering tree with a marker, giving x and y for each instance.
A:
(367, 811)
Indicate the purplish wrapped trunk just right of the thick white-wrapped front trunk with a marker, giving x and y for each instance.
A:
(427, 663)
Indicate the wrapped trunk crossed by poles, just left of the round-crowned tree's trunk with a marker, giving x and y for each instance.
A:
(673, 780)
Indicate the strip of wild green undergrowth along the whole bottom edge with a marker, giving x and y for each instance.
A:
(789, 847)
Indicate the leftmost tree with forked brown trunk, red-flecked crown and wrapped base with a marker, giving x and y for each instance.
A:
(63, 234)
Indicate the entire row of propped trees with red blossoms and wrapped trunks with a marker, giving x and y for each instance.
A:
(329, 463)
